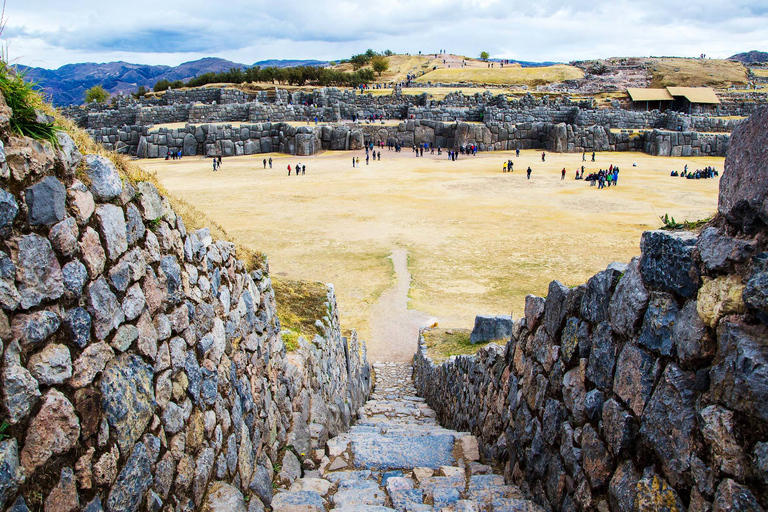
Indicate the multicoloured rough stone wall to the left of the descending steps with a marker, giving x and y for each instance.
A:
(143, 366)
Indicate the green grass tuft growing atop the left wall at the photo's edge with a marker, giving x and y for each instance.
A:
(25, 101)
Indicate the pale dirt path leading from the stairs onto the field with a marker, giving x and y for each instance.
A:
(394, 326)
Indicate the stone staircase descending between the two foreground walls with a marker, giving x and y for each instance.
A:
(397, 457)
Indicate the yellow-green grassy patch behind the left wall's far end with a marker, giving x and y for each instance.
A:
(299, 305)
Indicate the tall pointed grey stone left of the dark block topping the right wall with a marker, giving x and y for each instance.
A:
(628, 303)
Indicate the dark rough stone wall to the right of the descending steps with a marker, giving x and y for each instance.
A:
(645, 388)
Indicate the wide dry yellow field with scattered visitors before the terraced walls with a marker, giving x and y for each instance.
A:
(476, 240)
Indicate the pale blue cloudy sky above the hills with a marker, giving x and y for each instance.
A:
(51, 33)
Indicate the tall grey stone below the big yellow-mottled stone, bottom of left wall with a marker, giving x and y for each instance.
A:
(134, 480)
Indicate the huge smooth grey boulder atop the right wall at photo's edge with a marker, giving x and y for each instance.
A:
(744, 184)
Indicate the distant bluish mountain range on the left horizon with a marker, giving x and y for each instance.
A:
(67, 84)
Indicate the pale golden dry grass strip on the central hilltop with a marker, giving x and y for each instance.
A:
(505, 76)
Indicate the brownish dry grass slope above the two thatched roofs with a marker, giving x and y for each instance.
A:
(697, 73)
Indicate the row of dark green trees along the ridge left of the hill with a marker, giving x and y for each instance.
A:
(299, 75)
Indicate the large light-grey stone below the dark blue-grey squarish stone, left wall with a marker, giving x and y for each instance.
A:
(38, 273)
